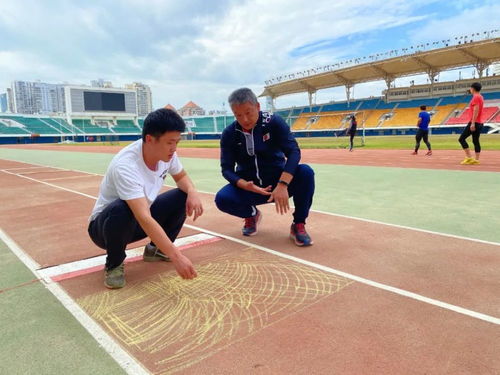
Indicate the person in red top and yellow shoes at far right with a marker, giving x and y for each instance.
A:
(474, 126)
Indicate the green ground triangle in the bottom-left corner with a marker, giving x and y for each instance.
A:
(38, 335)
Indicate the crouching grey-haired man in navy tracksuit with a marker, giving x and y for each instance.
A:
(266, 156)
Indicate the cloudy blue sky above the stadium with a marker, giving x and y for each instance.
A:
(202, 50)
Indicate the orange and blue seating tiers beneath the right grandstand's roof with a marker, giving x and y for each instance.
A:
(378, 115)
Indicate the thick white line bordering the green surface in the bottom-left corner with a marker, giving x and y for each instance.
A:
(127, 362)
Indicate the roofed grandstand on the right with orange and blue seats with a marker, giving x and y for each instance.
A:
(396, 110)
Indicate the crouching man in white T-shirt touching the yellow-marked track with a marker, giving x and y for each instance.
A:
(129, 206)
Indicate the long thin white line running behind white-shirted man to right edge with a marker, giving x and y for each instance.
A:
(402, 292)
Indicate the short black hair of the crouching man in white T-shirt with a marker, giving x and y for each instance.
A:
(161, 121)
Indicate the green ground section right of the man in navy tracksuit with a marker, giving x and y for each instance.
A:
(455, 202)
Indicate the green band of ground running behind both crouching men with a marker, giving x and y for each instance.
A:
(463, 203)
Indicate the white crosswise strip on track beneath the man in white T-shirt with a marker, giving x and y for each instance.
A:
(79, 265)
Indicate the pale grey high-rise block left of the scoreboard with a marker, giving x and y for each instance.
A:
(37, 97)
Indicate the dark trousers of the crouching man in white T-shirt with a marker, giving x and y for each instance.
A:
(115, 227)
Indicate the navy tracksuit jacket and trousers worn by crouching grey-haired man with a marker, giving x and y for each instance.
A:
(261, 156)
